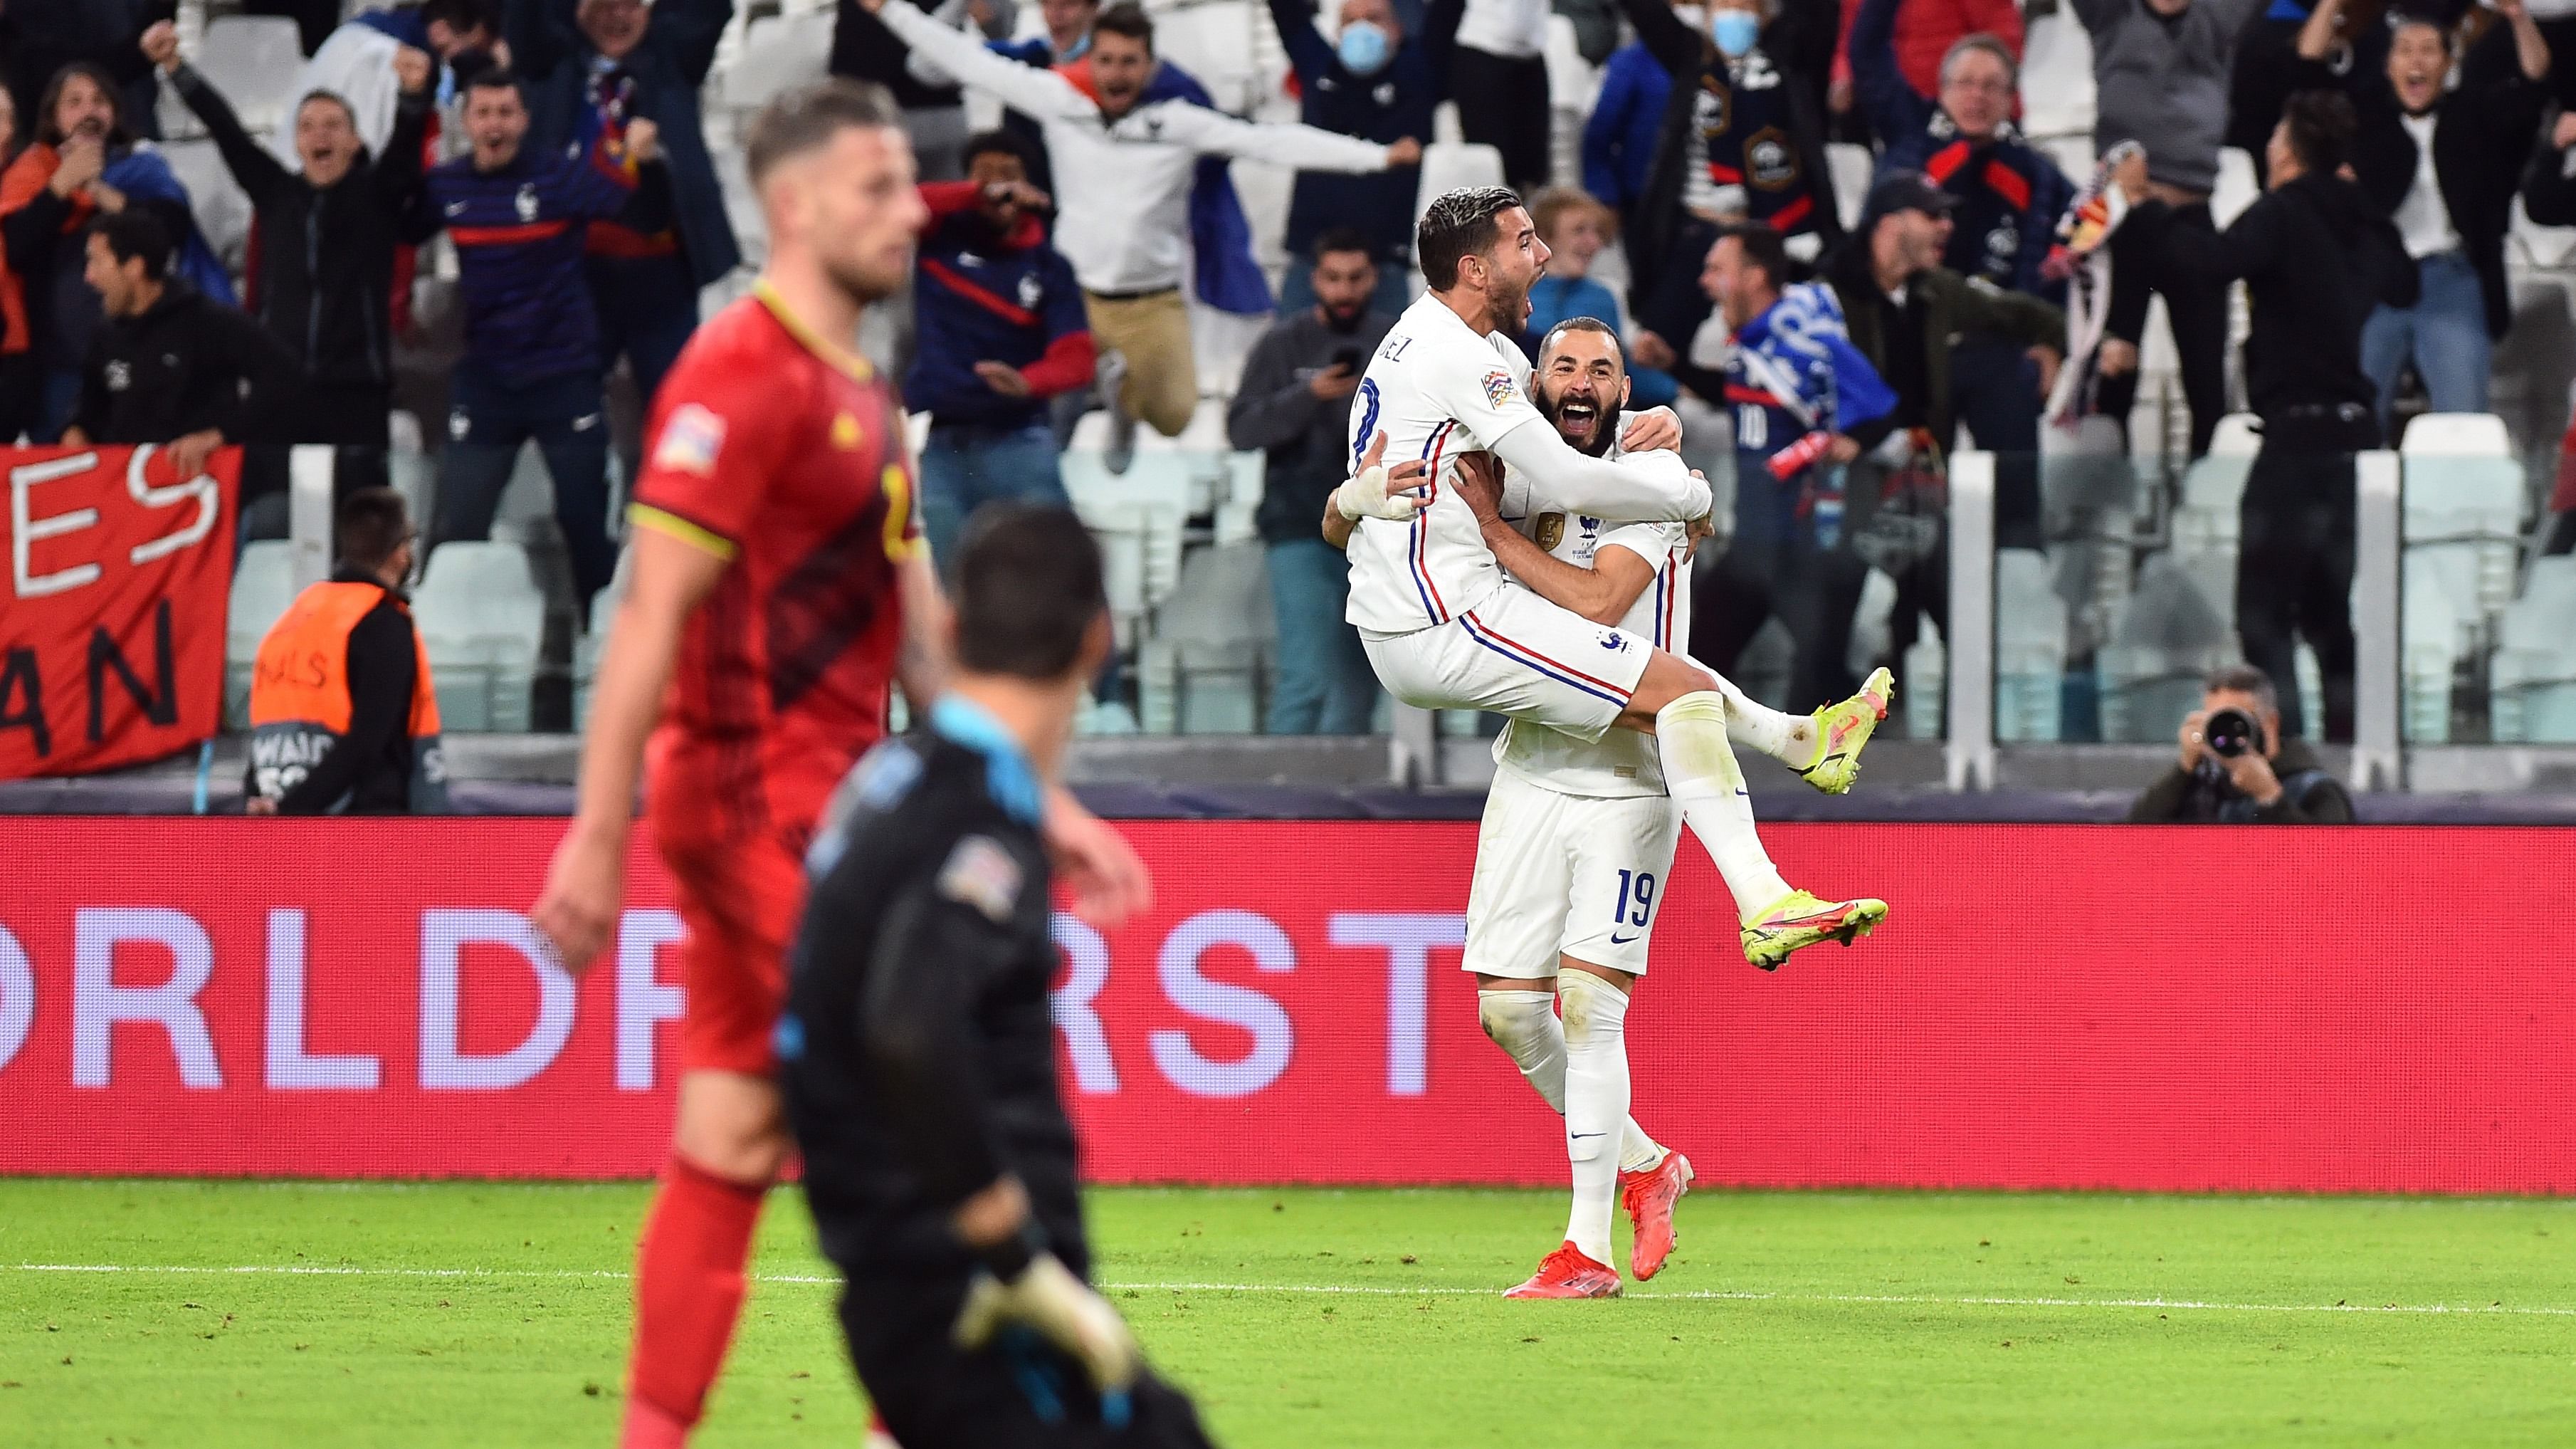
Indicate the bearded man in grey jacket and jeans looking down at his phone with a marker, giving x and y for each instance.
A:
(1294, 406)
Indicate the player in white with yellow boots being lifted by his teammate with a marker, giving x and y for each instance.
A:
(1444, 625)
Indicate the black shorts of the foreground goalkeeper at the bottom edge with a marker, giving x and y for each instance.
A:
(1009, 1396)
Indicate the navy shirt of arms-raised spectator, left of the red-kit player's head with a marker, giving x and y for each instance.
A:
(519, 254)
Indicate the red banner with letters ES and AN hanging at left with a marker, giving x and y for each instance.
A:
(112, 646)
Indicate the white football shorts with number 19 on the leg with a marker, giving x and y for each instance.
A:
(1567, 875)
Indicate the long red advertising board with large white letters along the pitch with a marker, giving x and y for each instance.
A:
(2379, 1009)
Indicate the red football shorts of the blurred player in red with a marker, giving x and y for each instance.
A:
(741, 904)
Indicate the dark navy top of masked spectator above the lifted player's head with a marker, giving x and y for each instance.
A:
(1385, 107)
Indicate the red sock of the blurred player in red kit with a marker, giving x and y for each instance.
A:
(689, 1293)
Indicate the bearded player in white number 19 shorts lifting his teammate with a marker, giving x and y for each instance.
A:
(1578, 837)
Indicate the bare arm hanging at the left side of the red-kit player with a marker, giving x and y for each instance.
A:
(586, 880)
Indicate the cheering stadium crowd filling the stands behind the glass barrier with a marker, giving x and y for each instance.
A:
(563, 151)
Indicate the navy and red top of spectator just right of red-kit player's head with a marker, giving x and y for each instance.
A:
(983, 298)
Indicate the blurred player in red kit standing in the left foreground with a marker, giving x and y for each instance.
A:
(779, 589)
